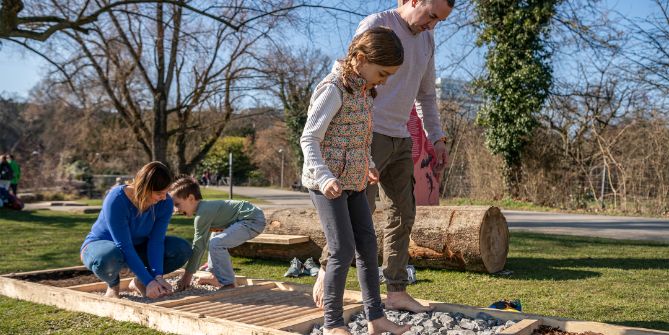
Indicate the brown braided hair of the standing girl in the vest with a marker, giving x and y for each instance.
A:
(379, 45)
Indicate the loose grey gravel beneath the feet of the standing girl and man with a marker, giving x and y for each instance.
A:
(432, 323)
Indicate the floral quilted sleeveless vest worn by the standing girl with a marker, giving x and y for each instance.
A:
(347, 142)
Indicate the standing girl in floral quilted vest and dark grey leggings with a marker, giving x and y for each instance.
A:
(337, 167)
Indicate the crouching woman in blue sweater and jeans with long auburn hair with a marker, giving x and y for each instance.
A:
(130, 232)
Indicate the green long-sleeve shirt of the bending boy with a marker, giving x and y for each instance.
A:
(217, 215)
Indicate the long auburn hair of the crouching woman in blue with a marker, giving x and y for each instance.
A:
(152, 177)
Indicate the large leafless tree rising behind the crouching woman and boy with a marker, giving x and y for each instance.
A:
(172, 77)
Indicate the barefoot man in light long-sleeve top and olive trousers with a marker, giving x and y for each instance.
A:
(413, 83)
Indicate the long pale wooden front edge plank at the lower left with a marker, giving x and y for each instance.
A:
(162, 319)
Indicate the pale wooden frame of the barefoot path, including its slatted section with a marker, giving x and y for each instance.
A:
(259, 307)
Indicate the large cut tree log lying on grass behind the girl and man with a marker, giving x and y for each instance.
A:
(472, 238)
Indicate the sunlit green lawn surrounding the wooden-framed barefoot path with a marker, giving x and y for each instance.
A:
(619, 282)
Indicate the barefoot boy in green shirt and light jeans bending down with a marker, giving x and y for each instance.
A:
(232, 223)
